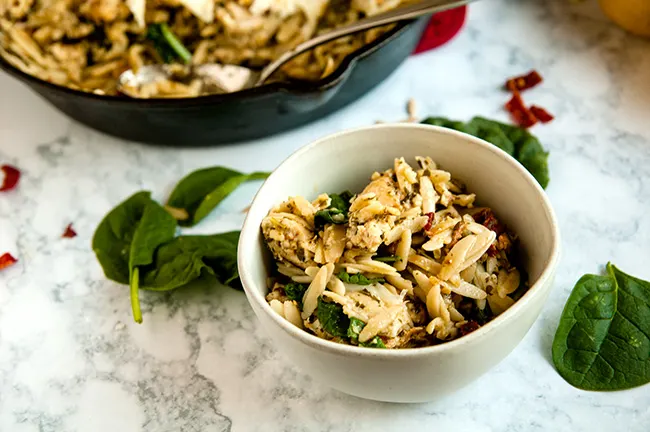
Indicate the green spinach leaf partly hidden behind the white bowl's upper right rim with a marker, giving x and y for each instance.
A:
(516, 141)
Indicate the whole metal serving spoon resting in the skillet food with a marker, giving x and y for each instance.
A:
(232, 78)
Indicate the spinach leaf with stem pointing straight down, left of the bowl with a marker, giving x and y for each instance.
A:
(154, 228)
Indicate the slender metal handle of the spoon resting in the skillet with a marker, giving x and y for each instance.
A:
(403, 13)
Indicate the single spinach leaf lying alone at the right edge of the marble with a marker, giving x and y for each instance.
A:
(603, 340)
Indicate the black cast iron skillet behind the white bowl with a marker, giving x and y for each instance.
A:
(229, 118)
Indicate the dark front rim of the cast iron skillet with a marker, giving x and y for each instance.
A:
(296, 87)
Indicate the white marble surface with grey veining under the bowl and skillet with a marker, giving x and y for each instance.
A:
(71, 359)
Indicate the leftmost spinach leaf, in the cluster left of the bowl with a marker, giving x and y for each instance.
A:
(114, 235)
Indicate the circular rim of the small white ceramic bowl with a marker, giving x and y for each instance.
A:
(250, 232)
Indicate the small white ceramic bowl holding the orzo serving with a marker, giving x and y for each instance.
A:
(345, 161)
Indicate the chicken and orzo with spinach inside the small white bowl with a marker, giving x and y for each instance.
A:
(407, 262)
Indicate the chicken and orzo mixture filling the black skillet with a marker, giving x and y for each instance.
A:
(87, 44)
